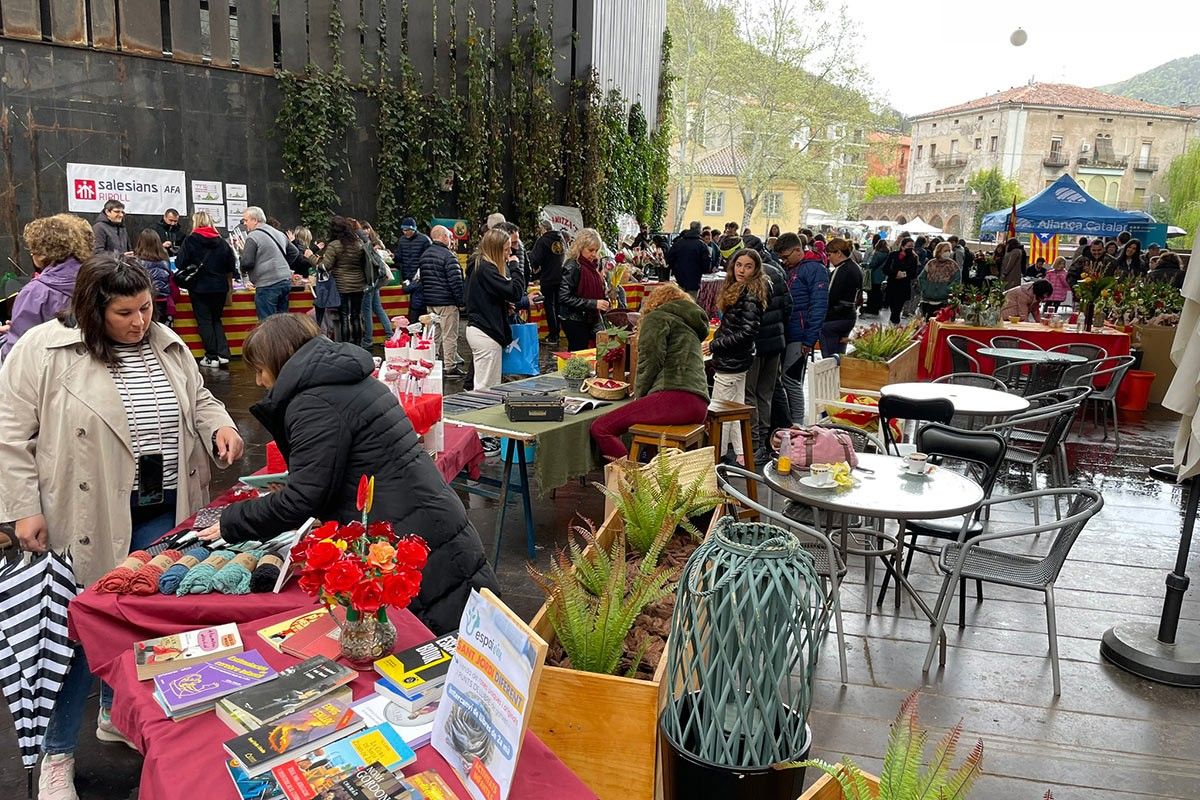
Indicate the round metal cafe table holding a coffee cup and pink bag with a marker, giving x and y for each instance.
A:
(884, 490)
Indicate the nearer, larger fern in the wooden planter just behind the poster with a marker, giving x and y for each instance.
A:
(593, 604)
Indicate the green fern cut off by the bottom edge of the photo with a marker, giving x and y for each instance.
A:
(907, 775)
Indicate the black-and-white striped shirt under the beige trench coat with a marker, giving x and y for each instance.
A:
(152, 408)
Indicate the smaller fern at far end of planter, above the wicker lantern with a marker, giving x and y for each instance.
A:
(653, 503)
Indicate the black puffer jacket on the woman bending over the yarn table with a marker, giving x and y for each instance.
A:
(334, 424)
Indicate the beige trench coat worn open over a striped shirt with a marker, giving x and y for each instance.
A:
(65, 446)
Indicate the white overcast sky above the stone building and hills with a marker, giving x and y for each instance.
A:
(929, 55)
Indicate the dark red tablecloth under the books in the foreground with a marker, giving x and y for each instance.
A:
(181, 757)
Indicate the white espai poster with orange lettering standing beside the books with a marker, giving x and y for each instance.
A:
(485, 706)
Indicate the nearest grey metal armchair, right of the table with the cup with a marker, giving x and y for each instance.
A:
(979, 560)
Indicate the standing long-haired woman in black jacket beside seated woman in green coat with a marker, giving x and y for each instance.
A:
(741, 304)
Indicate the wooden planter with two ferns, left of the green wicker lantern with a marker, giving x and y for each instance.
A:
(581, 714)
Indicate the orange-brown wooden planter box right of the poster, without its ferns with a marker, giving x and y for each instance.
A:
(603, 727)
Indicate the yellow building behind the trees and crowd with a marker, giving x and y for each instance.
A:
(717, 200)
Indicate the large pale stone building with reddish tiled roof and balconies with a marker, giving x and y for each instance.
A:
(1118, 149)
